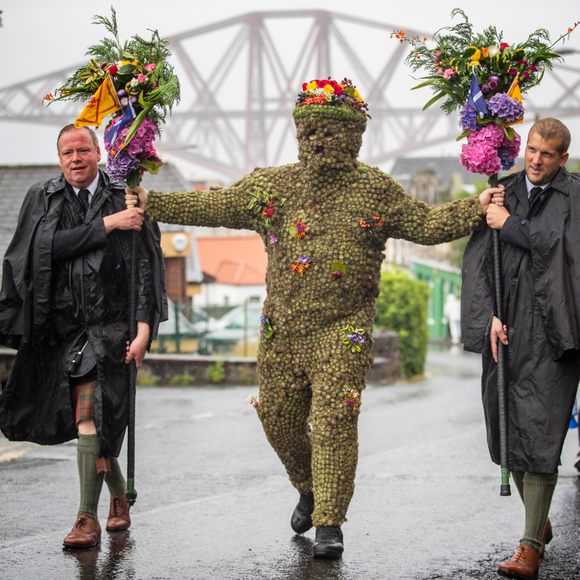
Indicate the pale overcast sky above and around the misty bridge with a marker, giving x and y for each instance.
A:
(39, 36)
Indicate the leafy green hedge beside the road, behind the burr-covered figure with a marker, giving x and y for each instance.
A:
(402, 307)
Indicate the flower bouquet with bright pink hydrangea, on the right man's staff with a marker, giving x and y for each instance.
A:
(485, 78)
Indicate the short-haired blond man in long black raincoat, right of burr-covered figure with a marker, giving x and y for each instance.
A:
(540, 247)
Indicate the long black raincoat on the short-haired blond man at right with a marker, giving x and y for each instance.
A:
(540, 248)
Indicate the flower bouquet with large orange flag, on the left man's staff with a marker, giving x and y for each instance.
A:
(135, 83)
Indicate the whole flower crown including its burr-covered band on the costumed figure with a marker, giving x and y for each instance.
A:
(328, 96)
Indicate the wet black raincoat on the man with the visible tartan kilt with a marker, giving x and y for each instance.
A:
(65, 283)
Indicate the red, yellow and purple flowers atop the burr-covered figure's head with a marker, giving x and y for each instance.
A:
(329, 93)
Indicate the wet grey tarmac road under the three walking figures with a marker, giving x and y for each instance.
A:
(214, 502)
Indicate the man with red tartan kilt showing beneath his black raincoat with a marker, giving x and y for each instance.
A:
(64, 304)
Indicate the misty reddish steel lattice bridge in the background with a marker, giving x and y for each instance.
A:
(240, 76)
